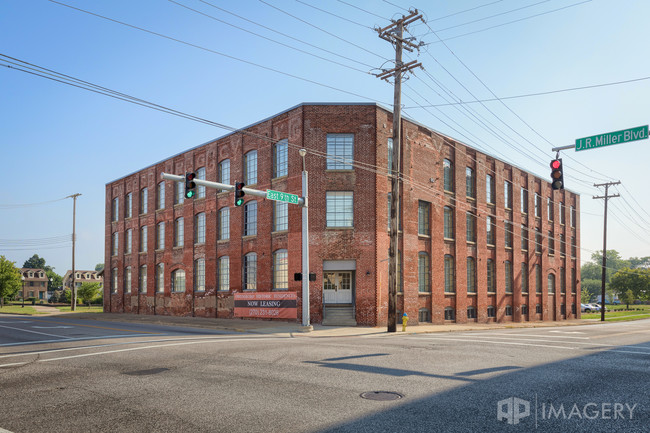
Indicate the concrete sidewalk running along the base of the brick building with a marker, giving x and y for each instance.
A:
(295, 329)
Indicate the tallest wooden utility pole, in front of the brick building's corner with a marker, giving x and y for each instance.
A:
(394, 34)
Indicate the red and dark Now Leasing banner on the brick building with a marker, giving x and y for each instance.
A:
(269, 305)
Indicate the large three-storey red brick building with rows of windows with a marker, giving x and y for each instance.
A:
(480, 240)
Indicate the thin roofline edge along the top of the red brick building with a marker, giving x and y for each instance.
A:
(303, 104)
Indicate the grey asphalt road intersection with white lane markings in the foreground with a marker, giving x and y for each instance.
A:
(82, 376)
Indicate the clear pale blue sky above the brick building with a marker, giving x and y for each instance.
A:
(58, 140)
